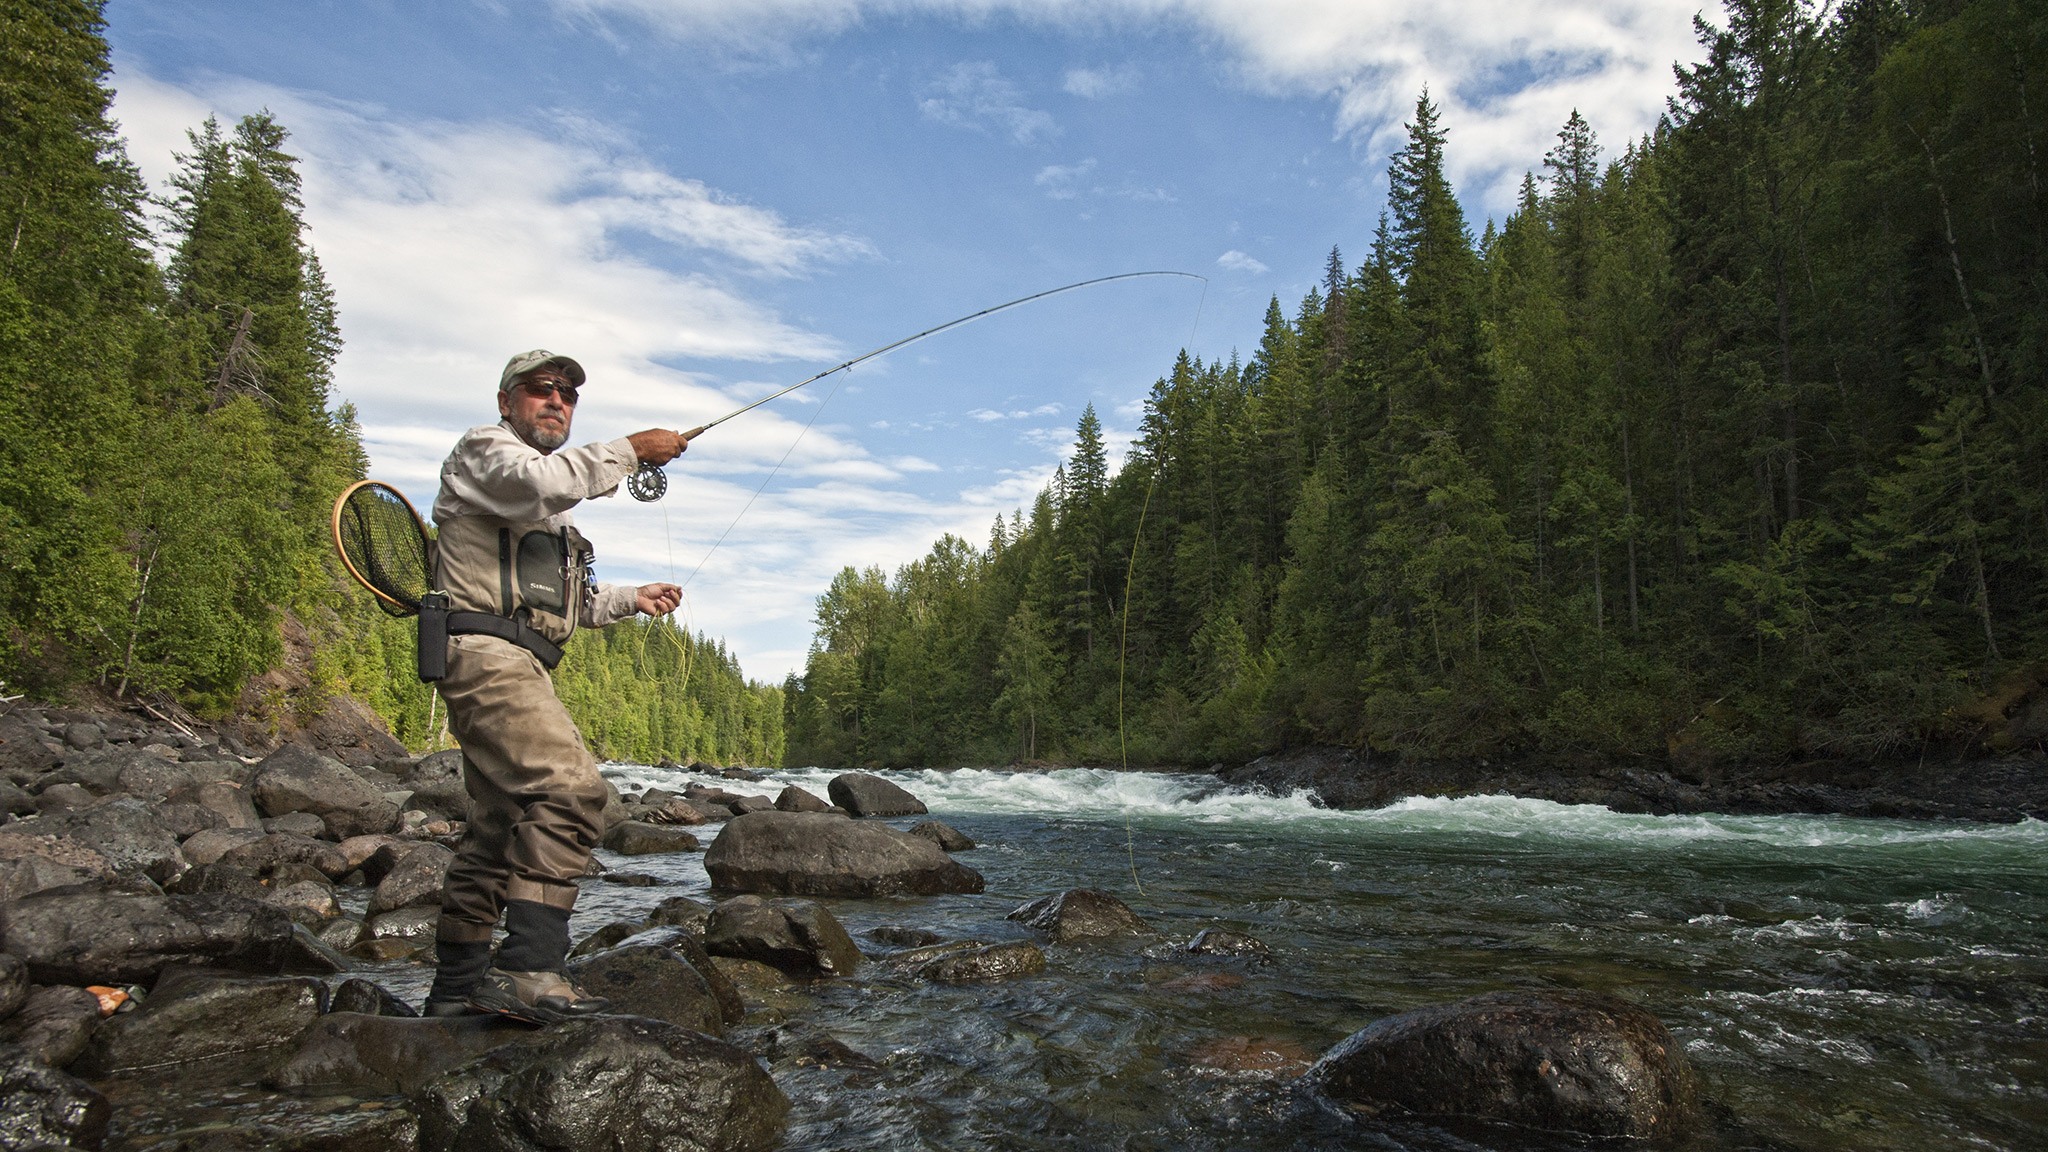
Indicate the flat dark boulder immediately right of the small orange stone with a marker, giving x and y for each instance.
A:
(198, 1016)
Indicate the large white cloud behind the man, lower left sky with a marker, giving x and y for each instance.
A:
(456, 245)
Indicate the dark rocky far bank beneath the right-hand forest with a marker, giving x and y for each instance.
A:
(2000, 792)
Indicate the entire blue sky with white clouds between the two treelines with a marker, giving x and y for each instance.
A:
(706, 202)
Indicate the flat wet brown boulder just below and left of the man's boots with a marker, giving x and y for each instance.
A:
(380, 1055)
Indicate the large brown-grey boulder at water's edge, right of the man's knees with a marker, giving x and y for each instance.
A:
(812, 854)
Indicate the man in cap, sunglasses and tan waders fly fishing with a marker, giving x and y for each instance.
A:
(519, 581)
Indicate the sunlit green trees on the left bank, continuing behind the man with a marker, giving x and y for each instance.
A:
(171, 450)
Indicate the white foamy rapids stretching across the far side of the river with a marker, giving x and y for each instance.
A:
(1164, 800)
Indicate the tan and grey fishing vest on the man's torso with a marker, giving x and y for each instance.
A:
(517, 581)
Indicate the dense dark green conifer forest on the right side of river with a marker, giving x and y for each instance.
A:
(1727, 444)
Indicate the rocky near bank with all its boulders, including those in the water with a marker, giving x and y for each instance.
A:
(183, 930)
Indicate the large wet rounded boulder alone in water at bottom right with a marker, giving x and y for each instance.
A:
(1560, 1061)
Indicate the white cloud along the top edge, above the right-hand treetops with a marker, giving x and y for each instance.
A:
(1506, 73)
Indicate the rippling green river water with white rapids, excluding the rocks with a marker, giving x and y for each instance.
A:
(1838, 983)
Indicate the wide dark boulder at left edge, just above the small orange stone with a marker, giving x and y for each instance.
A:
(75, 936)
